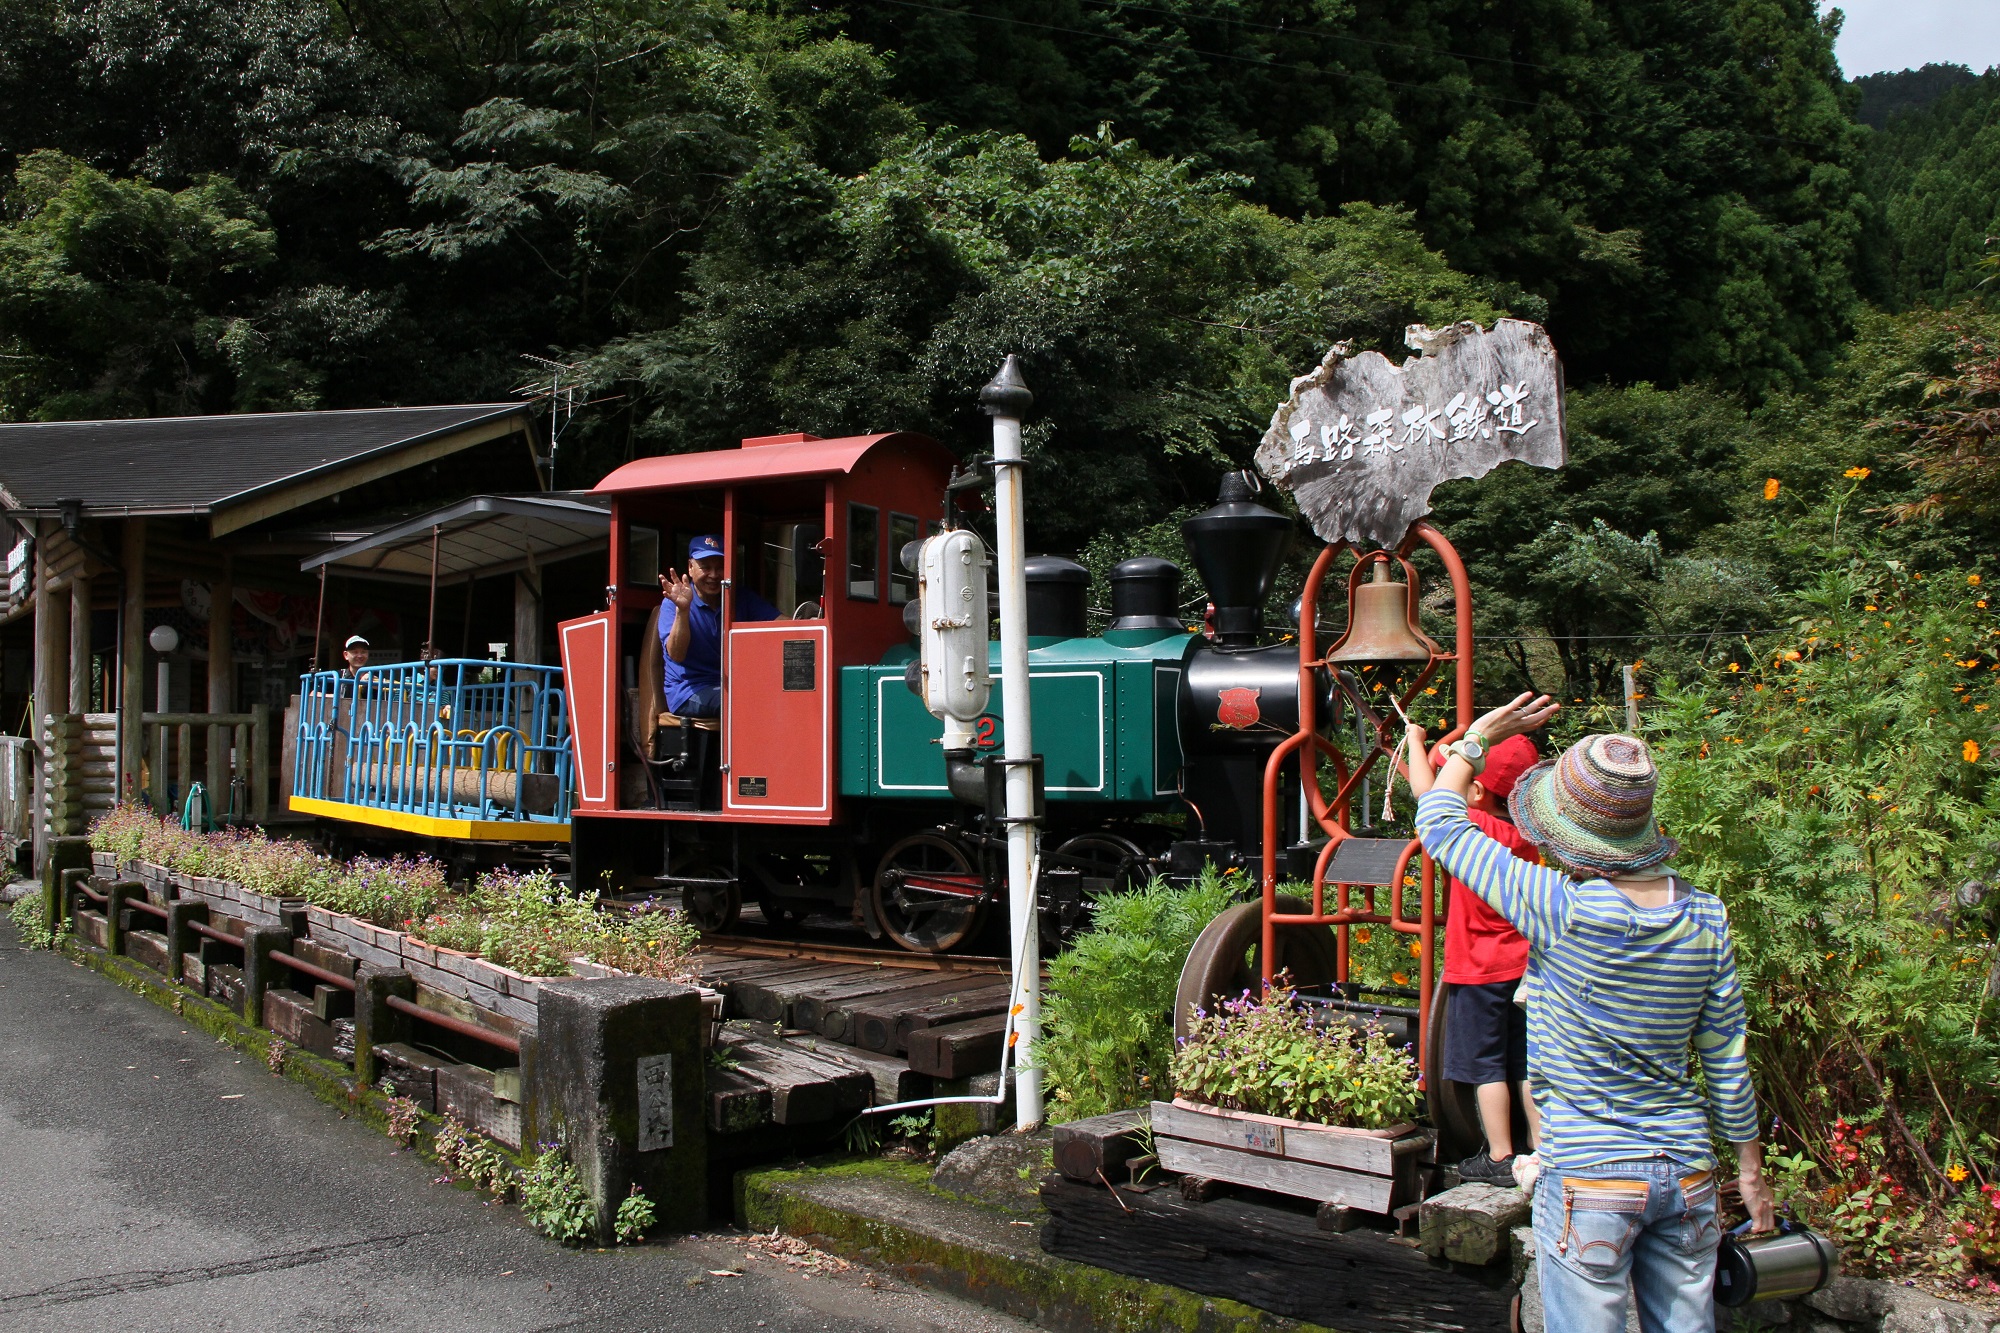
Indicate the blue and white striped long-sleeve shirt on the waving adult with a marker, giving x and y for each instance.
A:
(1619, 998)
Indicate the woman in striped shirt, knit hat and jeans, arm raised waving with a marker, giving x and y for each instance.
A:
(1629, 970)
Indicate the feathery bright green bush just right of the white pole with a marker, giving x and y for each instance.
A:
(1109, 1004)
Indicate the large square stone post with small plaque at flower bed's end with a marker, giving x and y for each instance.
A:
(617, 1074)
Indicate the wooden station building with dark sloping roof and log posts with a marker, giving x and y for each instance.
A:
(131, 533)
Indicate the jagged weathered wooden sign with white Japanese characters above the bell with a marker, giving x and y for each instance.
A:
(1363, 441)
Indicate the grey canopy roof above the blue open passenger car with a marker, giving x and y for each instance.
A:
(481, 535)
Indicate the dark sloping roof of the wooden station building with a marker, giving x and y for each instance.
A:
(249, 465)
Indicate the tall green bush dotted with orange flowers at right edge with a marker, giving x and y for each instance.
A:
(1837, 790)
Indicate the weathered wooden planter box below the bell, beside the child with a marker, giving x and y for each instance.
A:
(1367, 1170)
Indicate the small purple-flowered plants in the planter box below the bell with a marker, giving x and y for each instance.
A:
(1269, 1058)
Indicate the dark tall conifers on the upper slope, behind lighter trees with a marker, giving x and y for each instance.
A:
(1669, 175)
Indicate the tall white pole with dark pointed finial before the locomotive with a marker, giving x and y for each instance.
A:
(1007, 399)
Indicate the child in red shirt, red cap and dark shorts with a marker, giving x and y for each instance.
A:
(1485, 960)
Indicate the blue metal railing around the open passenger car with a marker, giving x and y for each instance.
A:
(451, 740)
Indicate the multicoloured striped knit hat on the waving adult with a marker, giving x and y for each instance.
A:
(1593, 808)
